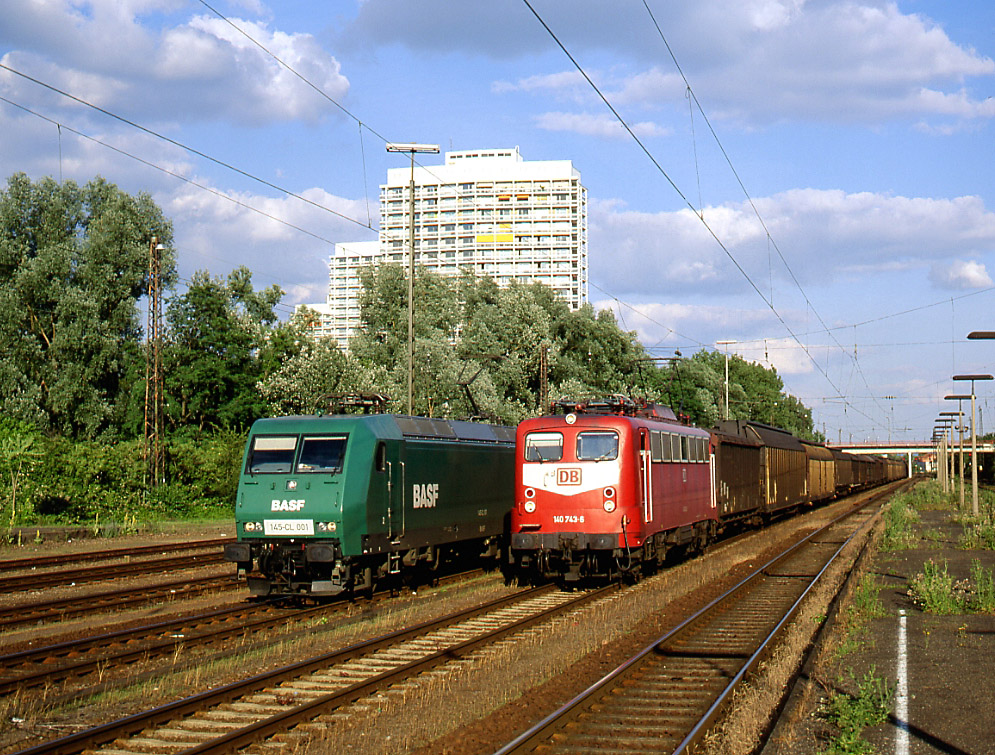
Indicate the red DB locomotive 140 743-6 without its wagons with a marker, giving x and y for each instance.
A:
(608, 488)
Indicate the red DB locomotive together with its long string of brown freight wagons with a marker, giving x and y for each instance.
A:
(608, 489)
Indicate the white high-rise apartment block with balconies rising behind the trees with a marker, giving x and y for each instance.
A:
(486, 211)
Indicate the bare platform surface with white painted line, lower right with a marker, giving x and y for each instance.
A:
(949, 661)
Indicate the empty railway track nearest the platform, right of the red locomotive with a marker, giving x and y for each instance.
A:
(666, 697)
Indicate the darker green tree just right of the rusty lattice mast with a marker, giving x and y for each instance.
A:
(217, 329)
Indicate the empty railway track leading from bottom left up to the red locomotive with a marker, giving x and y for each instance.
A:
(227, 718)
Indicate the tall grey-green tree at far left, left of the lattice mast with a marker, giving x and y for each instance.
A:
(73, 264)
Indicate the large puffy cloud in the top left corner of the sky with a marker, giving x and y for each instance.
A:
(111, 54)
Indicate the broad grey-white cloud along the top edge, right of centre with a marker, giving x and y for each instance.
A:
(757, 62)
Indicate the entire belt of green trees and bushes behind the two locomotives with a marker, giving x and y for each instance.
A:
(74, 264)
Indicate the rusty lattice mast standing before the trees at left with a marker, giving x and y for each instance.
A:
(155, 457)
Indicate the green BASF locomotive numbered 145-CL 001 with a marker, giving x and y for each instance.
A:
(328, 504)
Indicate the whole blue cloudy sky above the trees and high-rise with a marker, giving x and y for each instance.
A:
(856, 261)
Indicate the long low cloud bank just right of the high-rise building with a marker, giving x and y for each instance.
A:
(823, 236)
